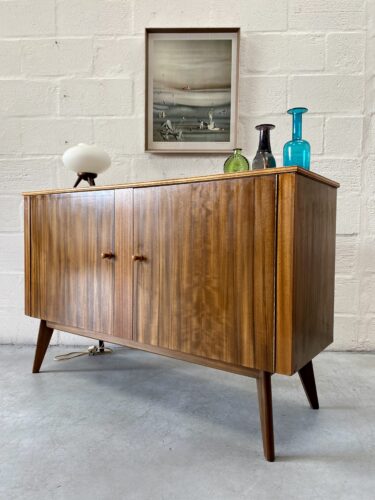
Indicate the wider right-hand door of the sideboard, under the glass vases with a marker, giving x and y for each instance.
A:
(205, 282)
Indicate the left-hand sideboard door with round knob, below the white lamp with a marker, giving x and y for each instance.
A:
(71, 283)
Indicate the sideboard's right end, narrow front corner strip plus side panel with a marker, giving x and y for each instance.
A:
(305, 271)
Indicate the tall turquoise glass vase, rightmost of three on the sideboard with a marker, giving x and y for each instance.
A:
(297, 151)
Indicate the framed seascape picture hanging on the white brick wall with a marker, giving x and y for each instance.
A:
(191, 90)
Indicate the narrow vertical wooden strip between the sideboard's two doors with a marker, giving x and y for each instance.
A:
(123, 320)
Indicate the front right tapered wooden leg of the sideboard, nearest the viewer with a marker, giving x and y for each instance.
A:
(265, 412)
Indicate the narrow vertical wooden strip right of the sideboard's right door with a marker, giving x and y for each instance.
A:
(284, 273)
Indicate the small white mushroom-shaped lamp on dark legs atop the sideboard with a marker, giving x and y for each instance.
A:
(87, 161)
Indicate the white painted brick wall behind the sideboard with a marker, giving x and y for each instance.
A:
(73, 71)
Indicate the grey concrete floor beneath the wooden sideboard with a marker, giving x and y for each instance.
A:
(132, 425)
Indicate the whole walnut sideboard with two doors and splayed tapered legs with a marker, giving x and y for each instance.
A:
(231, 271)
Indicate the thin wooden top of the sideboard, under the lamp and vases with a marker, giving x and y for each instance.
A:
(187, 180)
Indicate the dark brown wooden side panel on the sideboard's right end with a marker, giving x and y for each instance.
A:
(314, 269)
